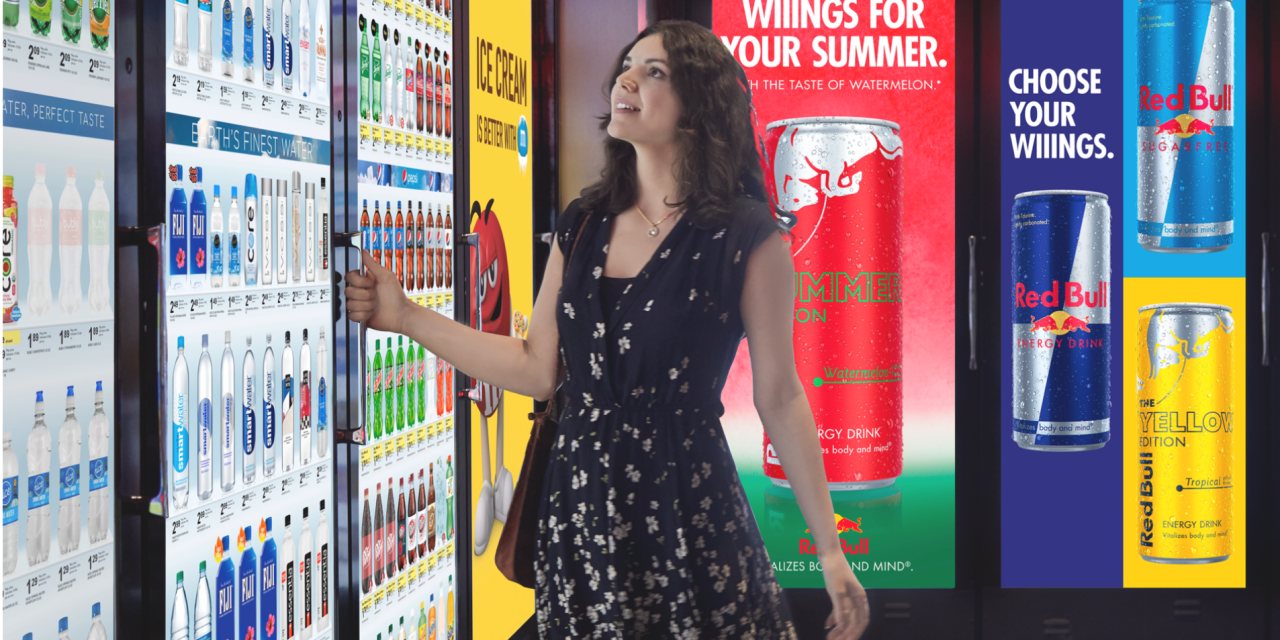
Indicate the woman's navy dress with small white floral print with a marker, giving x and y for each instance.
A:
(646, 531)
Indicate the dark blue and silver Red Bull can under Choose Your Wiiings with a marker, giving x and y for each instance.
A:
(1062, 321)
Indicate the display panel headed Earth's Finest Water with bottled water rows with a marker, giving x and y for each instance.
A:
(248, 335)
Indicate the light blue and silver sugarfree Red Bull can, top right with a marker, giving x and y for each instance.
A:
(1186, 125)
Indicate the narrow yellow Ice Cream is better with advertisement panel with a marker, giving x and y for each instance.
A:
(501, 214)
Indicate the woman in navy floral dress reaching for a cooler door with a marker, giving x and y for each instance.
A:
(673, 257)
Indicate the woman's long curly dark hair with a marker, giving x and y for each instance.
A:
(716, 143)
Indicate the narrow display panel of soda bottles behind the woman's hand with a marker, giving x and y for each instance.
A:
(404, 500)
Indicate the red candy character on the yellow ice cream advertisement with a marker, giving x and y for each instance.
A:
(492, 292)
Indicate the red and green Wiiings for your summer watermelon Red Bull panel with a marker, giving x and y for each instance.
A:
(856, 108)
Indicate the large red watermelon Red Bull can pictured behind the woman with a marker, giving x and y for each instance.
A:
(842, 181)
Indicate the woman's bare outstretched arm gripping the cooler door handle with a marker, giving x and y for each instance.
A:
(524, 367)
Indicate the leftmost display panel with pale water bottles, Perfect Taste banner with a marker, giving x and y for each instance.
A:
(60, 323)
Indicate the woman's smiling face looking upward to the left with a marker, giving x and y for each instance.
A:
(644, 108)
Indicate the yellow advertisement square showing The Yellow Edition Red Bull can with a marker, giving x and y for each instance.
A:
(1185, 433)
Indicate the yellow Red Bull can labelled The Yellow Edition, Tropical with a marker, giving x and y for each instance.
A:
(1186, 426)
